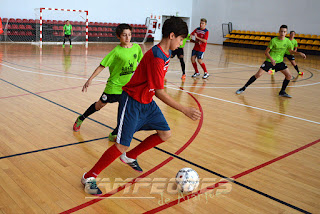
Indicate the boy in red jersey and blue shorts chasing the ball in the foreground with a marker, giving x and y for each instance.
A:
(137, 109)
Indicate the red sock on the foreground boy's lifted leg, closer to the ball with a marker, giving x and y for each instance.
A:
(145, 145)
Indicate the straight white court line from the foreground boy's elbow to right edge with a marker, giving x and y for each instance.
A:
(240, 104)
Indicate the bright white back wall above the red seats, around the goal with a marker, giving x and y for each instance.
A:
(101, 10)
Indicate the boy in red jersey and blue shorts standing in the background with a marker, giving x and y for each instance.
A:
(201, 37)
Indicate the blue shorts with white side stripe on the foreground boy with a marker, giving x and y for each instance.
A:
(134, 116)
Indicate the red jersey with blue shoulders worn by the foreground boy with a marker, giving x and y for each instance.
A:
(148, 76)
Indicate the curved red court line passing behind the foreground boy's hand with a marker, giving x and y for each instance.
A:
(100, 198)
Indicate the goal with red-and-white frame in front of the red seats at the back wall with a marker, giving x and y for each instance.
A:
(50, 22)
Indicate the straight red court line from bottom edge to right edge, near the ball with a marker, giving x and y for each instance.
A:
(192, 195)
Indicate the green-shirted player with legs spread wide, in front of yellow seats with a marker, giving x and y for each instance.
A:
(275, 53)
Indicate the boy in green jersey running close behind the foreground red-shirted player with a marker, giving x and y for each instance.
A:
(122, 62)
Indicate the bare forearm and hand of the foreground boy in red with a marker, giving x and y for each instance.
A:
(190, 112)
